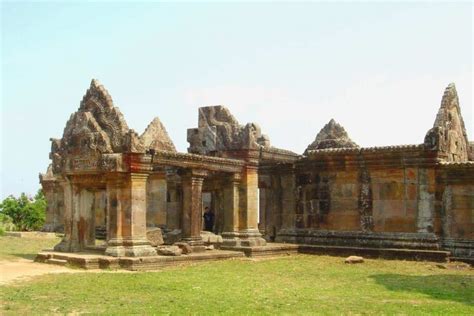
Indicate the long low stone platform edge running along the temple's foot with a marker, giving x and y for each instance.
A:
(95, 259)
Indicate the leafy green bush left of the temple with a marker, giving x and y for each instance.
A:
(26, 213)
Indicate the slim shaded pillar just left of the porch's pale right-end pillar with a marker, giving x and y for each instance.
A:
(230, 233)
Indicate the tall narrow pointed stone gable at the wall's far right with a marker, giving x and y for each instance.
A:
(448, 135)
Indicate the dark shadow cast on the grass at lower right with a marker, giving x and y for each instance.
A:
(457, 288)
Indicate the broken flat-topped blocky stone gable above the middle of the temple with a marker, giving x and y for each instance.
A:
(218, 130)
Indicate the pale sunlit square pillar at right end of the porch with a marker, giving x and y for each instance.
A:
(248, 218)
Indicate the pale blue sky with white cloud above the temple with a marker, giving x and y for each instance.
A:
(379, 69)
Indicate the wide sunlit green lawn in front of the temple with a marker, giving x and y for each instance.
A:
(299, 284)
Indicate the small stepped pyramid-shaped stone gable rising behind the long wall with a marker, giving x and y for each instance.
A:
(332, 135)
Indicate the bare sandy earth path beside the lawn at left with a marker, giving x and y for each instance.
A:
(19, 270)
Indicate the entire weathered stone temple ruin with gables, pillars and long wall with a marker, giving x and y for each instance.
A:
(106, 181)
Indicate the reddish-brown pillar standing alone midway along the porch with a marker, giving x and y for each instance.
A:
(192, 209)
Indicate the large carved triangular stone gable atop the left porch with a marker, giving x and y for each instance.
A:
(96, 128)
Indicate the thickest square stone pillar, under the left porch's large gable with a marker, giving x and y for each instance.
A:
(126, 207)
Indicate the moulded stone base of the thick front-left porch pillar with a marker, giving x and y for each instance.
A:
(129, 248)
